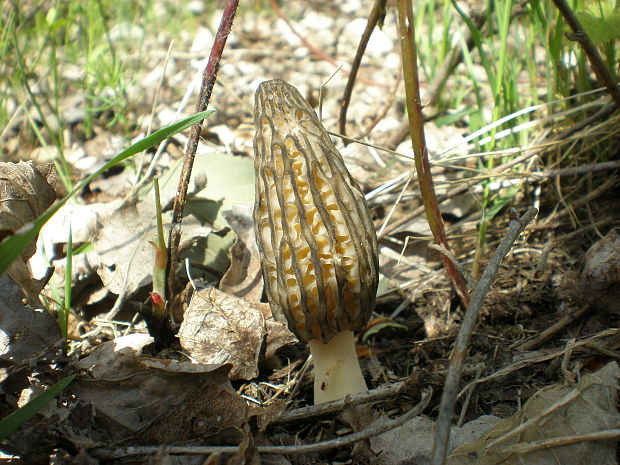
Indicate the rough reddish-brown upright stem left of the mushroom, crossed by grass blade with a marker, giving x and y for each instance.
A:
(208, 80)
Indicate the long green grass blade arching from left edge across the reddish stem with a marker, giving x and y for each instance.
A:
(12, 247)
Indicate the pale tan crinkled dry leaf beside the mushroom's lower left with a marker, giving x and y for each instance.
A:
(221, 328)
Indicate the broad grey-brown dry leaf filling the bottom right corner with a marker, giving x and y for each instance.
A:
(555, 412)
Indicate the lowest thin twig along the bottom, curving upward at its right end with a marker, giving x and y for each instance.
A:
(375, 429)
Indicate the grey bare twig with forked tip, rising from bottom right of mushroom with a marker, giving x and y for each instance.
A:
(450, 390)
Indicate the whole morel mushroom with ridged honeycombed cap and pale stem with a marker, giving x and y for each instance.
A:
(317, 243)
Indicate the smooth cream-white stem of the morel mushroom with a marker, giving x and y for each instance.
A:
(337, 371)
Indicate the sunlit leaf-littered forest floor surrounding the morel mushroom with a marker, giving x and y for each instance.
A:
(550, 319)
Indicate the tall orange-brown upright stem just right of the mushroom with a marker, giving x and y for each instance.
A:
(416, 129)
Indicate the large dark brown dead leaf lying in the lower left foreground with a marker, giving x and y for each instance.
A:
(161, 401)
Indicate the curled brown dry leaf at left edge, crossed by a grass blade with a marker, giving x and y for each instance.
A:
(26, 190)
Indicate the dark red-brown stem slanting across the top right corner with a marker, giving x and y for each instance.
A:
(579, 34)
